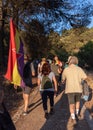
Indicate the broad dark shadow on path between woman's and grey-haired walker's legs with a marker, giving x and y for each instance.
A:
(61, 119)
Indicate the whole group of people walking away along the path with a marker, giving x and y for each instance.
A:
(48, 79)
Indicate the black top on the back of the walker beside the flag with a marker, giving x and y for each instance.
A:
(27, 75)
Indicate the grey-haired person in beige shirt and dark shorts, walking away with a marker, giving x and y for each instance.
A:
(73, 76)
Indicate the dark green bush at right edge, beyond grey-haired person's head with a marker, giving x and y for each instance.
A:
(86, 55)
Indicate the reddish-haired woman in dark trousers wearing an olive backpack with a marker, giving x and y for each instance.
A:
(48, 87)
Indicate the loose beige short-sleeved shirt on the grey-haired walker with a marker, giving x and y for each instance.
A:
(74, 76)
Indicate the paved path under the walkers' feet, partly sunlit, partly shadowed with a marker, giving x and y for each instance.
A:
(59, 121)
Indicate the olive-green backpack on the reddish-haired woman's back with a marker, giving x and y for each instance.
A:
(46, 83)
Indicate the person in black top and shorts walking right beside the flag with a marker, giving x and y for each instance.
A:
(28, 72)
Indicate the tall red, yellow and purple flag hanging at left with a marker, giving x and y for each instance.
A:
(16, 57)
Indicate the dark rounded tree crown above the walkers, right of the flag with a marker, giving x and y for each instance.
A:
(36, 42)
